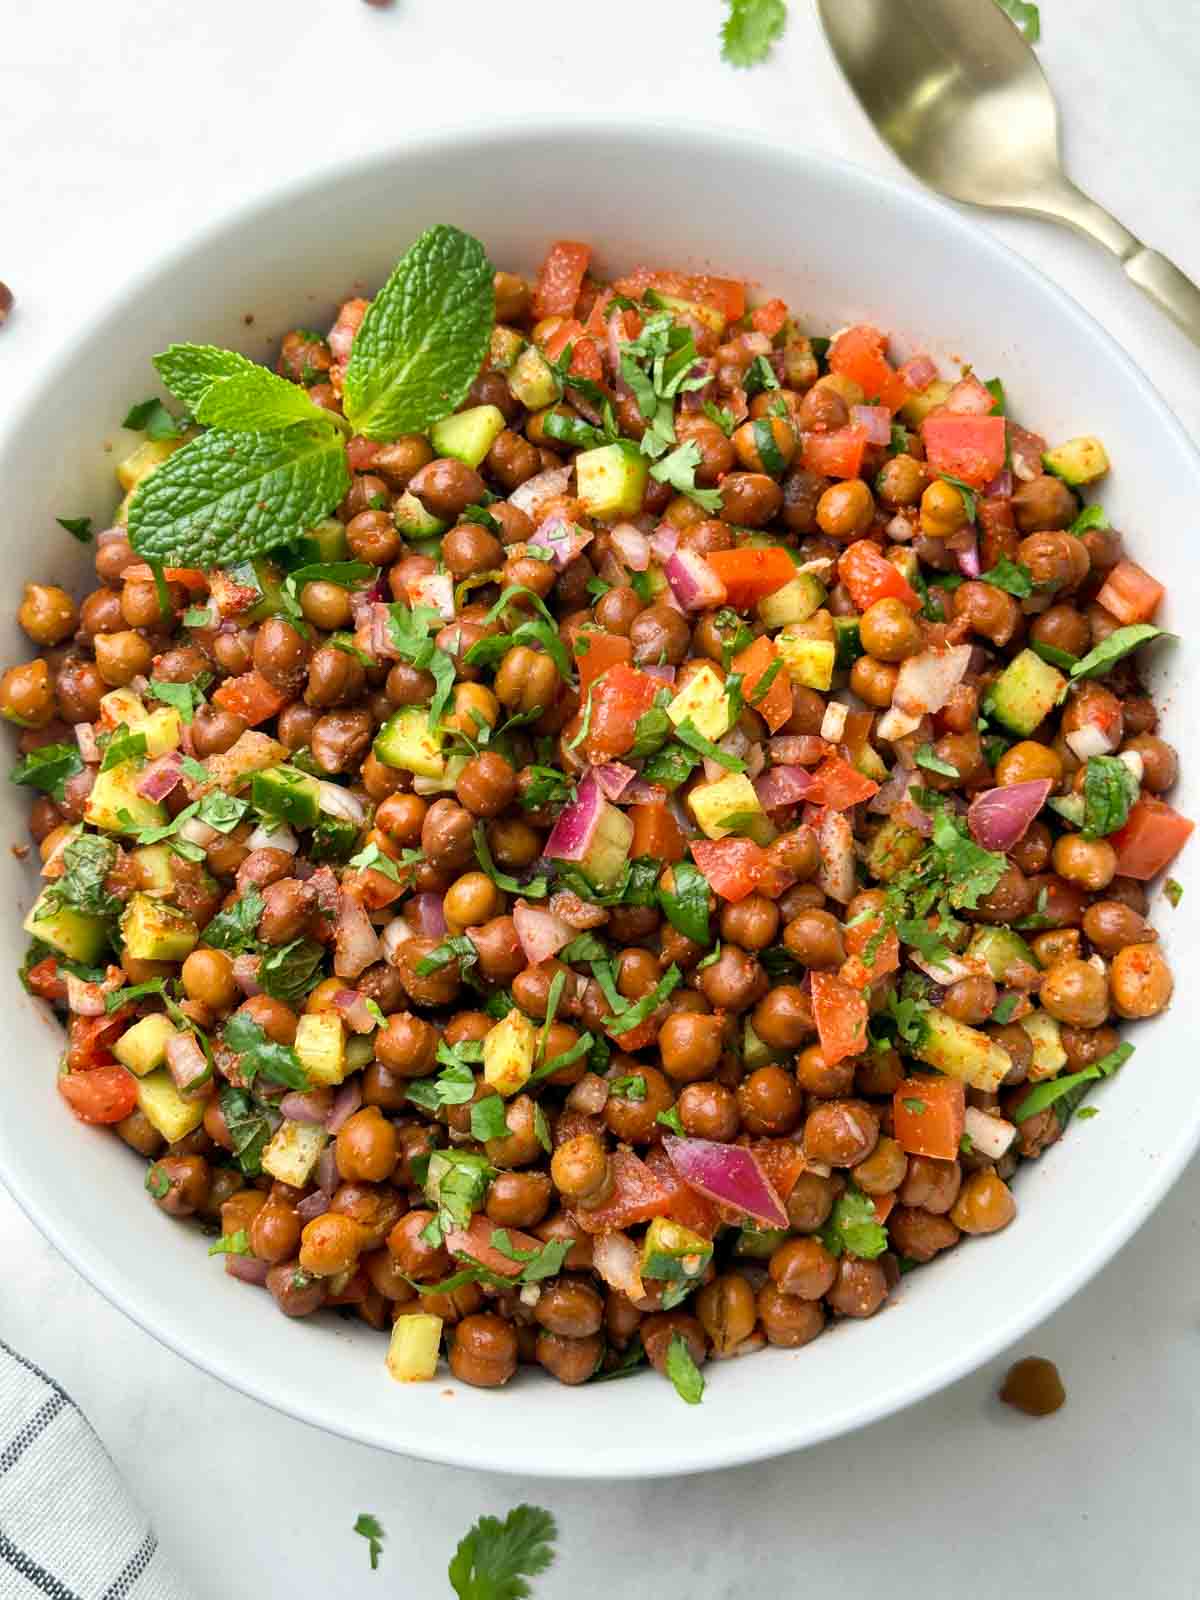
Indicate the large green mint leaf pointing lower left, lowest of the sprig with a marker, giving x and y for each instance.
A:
(228, 497)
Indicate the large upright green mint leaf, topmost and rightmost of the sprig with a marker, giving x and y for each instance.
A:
(423, 338)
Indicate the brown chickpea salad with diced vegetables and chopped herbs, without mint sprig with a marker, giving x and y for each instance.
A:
(594, 916)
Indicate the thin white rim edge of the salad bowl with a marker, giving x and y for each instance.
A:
(783, 1433)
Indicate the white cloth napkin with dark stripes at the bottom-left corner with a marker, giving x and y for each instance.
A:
(68, 1526)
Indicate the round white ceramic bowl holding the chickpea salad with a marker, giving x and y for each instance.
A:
(839, 246)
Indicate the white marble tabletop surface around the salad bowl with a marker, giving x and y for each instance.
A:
(124, 126)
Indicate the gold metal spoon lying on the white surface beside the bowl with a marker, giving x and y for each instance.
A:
(961, 98)
